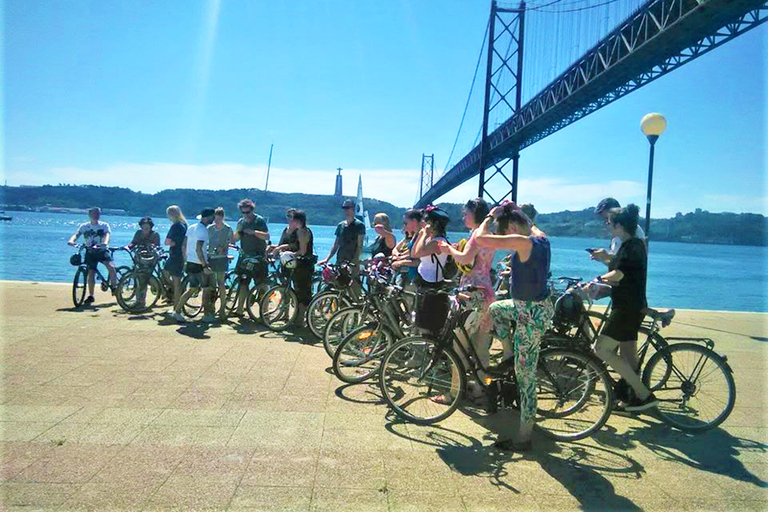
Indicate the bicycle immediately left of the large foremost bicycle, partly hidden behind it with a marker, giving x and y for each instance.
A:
(357, 358)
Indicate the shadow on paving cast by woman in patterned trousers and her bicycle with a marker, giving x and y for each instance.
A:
(579, 467)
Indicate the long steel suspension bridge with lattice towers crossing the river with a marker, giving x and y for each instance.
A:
(549, 63)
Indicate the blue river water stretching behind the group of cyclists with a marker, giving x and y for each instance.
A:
(716, 277)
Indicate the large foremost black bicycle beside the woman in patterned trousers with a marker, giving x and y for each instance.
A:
(574, 394)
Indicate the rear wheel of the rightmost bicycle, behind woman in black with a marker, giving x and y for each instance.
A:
(699, 393)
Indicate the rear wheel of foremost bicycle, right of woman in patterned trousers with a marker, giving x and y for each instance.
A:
(574, 393)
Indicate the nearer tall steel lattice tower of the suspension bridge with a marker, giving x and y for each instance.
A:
(503, 94)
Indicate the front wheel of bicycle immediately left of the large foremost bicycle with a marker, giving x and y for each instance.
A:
(358, 357)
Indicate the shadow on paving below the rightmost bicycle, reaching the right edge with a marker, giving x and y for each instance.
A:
(714, 451)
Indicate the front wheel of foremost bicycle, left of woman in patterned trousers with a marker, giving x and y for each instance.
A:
(414, 373)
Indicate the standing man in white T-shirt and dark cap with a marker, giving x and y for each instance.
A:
(197, 267)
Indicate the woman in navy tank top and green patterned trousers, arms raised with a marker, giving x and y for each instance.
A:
(529, 306)
